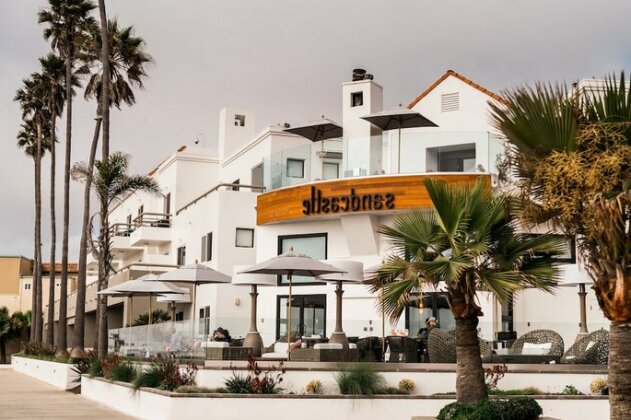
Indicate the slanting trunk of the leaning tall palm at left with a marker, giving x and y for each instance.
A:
(78, 340)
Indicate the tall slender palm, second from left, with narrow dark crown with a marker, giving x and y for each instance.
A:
(54, 78)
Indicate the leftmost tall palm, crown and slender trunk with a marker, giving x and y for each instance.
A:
(30, 97)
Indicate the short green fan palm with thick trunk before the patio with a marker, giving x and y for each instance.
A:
(468, 242)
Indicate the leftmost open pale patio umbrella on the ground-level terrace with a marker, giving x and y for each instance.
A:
(143, 286)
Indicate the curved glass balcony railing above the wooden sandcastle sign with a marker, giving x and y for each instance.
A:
(386, 154)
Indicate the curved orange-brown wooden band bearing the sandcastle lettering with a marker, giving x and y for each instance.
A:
(351, 195)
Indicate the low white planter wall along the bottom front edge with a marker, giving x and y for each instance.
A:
(155, 404)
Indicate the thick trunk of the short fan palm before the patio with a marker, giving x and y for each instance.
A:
(470, 386)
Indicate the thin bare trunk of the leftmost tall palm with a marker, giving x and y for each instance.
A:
(38, 233)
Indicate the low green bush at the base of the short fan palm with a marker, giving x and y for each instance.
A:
(511, 409)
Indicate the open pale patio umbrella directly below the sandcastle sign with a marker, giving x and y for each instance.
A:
(292, 263)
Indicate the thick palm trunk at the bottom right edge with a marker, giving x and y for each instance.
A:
(620, 370)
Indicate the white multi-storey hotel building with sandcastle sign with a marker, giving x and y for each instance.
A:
(244, 204)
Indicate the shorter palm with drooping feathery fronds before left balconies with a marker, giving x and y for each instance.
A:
(111, 183)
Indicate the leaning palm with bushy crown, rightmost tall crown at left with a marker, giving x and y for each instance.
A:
(127, 70)
